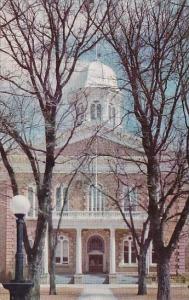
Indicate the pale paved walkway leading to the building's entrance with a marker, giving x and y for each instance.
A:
(94, 293)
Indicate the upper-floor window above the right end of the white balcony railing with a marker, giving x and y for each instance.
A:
(129, 198)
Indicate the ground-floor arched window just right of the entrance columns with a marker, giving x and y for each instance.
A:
(129, 253)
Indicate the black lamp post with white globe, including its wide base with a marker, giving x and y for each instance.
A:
(18, 287)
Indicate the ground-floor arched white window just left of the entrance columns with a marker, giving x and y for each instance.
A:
(62, 251)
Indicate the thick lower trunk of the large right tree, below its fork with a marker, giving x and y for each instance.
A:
(163, 273)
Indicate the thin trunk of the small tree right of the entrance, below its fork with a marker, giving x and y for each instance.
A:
(142, 288)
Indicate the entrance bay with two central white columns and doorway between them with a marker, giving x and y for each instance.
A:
(95, 252)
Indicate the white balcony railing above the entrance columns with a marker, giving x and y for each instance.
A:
(98, 214)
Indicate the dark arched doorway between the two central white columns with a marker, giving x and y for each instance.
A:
(95, 250)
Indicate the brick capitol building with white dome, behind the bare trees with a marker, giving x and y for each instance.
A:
(93, 237)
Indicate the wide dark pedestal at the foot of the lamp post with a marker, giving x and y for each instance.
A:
(18, 290)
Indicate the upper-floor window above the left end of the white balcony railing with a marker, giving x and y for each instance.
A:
(61, 198)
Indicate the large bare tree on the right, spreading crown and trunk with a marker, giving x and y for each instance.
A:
(147, 38)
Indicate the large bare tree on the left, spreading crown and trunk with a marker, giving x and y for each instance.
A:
(42, 42)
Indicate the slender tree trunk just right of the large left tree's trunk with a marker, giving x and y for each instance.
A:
(52, 252)
